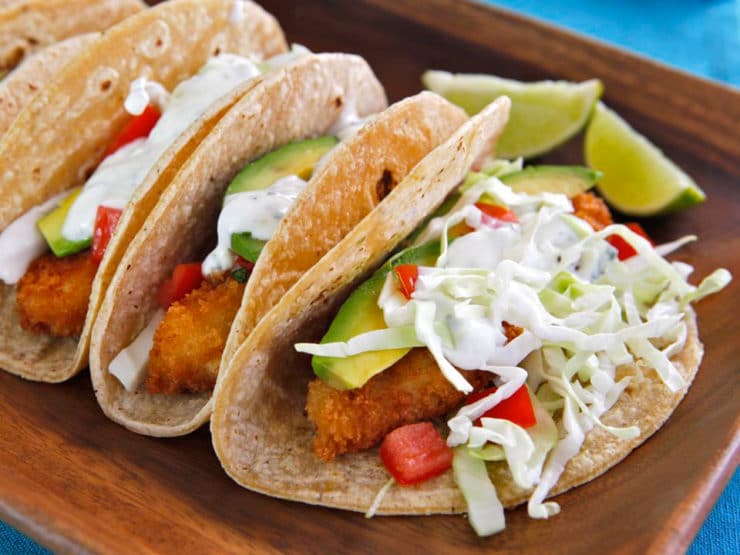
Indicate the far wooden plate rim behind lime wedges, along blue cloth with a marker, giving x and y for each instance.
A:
(710, 110)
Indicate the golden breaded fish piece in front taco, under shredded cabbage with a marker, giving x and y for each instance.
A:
(411, 390)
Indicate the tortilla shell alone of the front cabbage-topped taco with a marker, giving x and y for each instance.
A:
(259, 429)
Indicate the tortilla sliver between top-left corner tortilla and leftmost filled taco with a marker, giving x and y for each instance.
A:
(25, 81)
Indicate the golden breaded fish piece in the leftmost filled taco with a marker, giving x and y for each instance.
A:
(54, 294)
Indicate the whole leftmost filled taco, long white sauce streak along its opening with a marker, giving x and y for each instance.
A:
(87, 159)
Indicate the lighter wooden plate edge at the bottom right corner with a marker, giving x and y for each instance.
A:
(689, 515)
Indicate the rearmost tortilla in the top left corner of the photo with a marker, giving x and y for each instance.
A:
(29, 25)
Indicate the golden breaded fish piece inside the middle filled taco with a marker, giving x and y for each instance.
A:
(190, 340)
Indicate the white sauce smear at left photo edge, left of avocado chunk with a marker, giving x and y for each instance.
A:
(21, 242)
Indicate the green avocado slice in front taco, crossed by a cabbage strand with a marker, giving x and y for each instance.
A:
(359, 314)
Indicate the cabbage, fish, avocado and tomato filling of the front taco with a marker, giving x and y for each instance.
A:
(516, 318)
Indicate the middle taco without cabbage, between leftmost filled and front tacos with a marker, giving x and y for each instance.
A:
(284, 176)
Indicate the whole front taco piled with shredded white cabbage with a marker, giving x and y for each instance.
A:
(520, 343)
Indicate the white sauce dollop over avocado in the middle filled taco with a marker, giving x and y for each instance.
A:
(258, 212)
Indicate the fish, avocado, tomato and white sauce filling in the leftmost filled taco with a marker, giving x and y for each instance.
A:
(54, 288)
